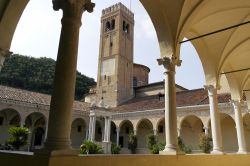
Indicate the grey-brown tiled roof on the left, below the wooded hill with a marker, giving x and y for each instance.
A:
(33, 97)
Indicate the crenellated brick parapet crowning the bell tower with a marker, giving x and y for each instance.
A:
(116, 7)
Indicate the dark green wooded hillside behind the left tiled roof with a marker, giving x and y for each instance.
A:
(37, 74)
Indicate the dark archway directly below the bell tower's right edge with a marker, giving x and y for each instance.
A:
(126, 127)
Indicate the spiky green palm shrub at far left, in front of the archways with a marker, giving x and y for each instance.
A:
(19, 137)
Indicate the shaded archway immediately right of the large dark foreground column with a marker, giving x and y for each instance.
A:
(78, 132)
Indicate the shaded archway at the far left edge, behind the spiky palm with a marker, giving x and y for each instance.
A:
(8, 118)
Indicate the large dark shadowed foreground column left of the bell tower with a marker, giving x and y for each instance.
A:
(58, 138)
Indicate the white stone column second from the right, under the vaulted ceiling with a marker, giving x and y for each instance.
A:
(215, 120)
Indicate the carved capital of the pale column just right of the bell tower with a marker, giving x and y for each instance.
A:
(169, 63)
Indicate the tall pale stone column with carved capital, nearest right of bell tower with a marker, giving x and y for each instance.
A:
(171, 147)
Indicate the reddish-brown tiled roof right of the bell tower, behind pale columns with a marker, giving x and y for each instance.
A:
(183, 98)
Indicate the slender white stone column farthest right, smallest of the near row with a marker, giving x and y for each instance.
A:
(239, 127)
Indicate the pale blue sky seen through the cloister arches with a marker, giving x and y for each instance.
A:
(38, 33)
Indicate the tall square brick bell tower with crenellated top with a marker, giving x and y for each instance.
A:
(115, 69)
